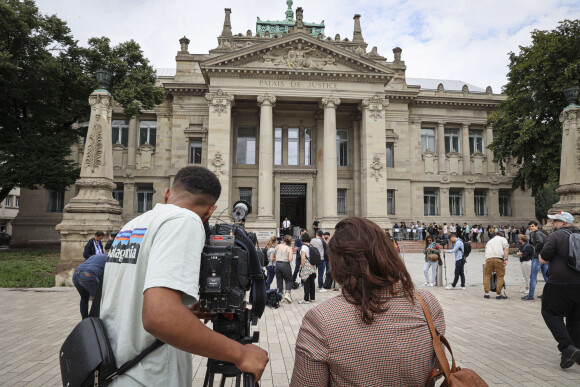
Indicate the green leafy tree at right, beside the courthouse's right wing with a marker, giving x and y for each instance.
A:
(526, 125)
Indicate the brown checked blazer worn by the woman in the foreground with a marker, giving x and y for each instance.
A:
(336, 348)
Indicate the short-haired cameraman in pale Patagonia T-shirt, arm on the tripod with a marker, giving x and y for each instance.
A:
(151, 276)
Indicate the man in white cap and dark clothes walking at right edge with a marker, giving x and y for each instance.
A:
(561, 296)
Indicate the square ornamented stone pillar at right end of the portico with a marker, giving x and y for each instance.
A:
(373, 157)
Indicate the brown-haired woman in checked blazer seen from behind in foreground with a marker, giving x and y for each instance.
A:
(374, 333)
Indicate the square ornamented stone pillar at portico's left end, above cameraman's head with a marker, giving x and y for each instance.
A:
(219, 144)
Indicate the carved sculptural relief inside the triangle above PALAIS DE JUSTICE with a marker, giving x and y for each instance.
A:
(299, 58)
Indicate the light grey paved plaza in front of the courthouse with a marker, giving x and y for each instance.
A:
(505, 341)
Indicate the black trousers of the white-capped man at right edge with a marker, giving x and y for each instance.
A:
(559, 301)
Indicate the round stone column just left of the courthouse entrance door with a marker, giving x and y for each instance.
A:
(266, 161)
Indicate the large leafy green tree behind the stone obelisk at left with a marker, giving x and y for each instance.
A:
(46, 78)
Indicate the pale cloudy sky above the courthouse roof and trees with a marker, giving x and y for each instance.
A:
(444, 39)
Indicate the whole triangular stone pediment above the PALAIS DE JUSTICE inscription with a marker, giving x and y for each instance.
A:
(294, 54)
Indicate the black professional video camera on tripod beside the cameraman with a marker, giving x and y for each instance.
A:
(230, 266)
